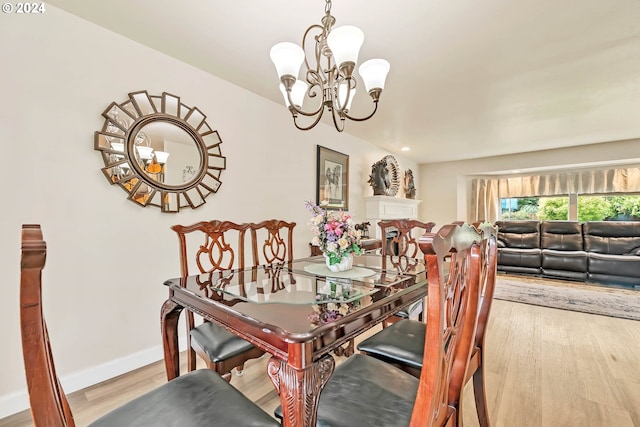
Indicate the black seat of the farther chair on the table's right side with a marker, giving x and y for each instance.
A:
(402, 342)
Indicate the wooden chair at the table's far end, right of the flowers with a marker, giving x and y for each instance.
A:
(403, 252)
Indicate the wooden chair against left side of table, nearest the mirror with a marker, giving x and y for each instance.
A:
(208, 246)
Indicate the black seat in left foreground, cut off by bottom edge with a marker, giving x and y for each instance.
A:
(199, 398)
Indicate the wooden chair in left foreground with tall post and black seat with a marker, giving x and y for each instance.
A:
(200, 398)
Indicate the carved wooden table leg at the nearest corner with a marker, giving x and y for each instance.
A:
(299, 389)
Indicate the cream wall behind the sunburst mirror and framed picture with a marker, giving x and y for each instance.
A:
(107, 257)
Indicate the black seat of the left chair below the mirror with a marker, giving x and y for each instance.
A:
(218, 343)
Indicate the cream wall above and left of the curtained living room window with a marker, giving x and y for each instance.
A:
(444, 187)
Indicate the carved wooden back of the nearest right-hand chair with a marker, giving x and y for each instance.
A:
(451, 322)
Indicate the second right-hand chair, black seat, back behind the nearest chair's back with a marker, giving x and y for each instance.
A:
(402, 345)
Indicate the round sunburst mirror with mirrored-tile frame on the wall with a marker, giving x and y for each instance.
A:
(160, 151)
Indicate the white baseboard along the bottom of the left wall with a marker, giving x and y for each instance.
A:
(19, 401)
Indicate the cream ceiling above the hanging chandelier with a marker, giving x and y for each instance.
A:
(468, 79)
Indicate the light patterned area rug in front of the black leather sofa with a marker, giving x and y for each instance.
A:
(584, 297)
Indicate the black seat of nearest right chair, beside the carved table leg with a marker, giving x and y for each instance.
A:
(364, 391)
